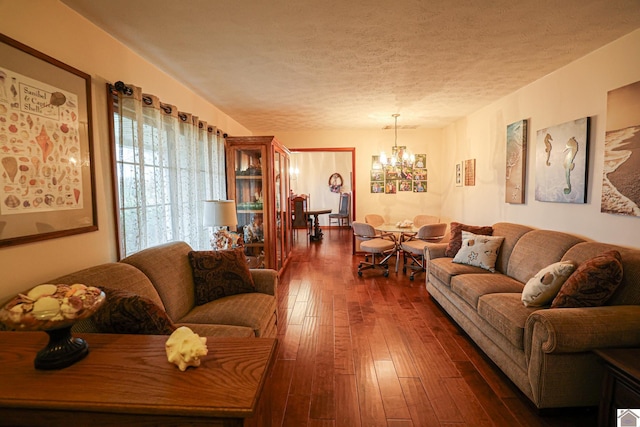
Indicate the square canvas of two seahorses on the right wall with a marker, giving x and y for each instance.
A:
(561, 162)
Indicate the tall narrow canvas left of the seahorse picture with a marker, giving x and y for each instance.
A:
(516, 163)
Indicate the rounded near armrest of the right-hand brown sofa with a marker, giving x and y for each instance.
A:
(571, 330)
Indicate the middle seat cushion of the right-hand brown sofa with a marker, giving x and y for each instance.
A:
(470, 287)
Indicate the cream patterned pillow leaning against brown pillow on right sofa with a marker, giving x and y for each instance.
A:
(544, 286)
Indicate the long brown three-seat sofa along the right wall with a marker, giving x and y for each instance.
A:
(546, 352)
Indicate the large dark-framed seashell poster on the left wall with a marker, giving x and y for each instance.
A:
(46, 151)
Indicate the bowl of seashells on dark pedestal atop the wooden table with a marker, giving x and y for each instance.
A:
(54, 309)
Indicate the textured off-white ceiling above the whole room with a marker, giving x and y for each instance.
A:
(326, 64)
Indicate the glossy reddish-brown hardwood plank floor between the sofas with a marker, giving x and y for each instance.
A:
(376, 351)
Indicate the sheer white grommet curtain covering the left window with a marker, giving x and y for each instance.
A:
(167, 163)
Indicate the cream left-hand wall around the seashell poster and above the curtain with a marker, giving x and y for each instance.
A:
(52, 28)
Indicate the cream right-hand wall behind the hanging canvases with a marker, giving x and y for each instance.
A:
(575, 91)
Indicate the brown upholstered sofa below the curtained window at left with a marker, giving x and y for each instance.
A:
(163, 274)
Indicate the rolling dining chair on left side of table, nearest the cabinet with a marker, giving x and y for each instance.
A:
(373, 244)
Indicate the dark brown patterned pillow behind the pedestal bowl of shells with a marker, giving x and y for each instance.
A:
(124, 312)
